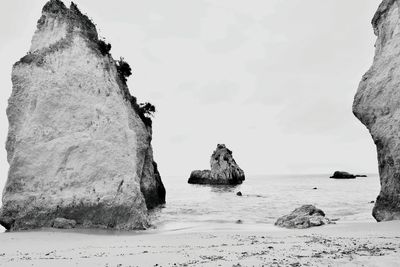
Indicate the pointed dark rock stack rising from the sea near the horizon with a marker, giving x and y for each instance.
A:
(224, 170)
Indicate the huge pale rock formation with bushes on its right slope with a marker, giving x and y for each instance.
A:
(78, 143)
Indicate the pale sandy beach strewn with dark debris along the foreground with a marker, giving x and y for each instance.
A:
(357, 244)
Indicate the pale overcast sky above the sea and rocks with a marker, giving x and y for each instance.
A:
(274, 80)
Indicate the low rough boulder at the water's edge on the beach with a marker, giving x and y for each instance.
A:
(304, 217)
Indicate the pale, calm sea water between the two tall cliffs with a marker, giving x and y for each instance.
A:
(265, 198)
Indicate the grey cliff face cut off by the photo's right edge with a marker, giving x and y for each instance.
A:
(377, 106)
